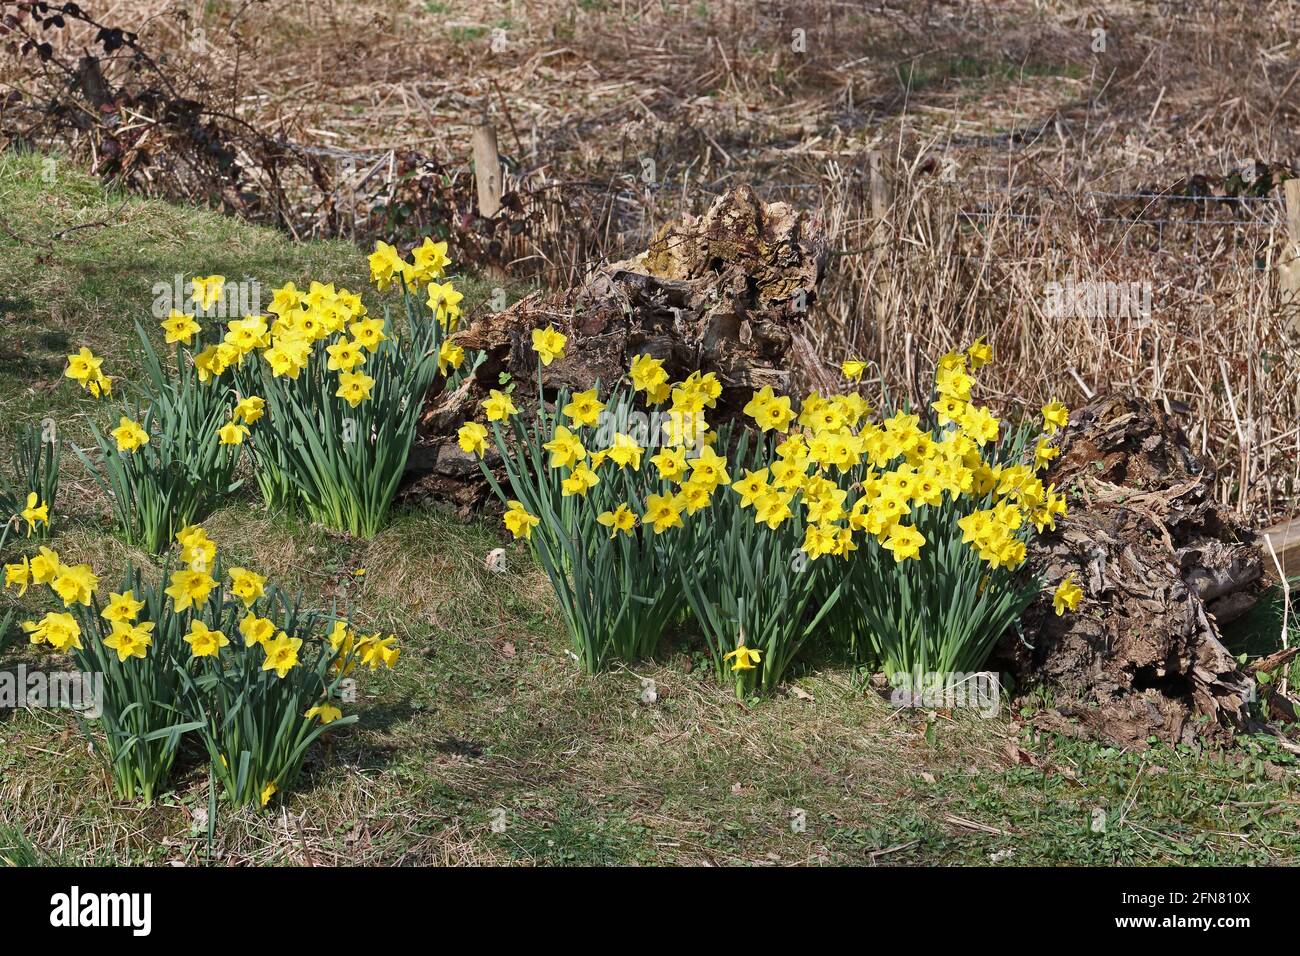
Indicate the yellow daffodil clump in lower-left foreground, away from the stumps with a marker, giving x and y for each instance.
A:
(216, 652)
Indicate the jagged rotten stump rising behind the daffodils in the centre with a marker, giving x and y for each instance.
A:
(727, 292)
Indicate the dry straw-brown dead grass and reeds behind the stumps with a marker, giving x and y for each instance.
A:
(1011, 101)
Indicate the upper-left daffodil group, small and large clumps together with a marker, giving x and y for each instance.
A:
(339, 392)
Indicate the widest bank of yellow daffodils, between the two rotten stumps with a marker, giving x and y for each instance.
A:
(926, 514)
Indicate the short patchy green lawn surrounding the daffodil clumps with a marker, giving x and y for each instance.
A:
(486, 745)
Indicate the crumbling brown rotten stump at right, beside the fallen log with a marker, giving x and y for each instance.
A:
(1162, 565)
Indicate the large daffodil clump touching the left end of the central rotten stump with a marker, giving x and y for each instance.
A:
(343, 390)
